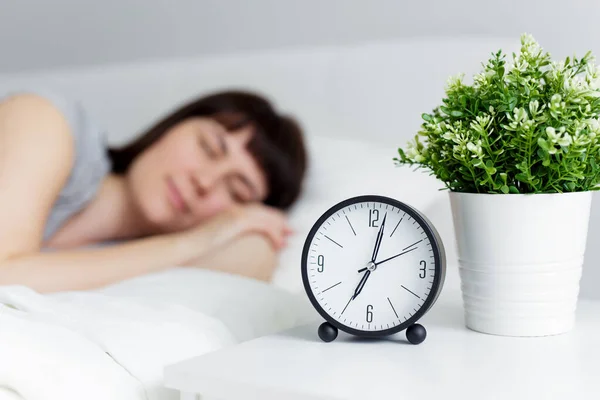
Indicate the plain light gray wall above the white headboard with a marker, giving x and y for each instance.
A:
(40, 34)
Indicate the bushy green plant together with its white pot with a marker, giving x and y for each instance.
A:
(519, 152)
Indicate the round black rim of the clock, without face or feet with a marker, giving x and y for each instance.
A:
(438, 253)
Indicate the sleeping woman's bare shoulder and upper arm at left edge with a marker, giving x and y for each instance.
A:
(36, 157)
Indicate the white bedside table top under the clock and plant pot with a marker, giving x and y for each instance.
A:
(453, 363)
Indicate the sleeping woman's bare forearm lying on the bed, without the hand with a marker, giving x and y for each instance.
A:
(95, 267)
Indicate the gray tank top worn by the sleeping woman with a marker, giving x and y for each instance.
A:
(91, 164)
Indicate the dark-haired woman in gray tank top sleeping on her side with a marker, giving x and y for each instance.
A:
(207, 186)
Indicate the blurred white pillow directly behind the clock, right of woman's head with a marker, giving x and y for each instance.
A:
(342, 168)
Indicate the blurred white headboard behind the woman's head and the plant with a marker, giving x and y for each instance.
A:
(375, 90)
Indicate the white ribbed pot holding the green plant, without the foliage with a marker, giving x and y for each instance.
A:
(520, 259)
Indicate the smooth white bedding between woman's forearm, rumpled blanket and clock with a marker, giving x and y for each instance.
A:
(248, 308)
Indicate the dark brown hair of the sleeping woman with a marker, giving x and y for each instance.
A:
(277, 143)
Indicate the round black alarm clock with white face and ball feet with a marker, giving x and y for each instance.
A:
(372, 266)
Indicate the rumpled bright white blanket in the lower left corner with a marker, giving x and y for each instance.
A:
(94, 346)
